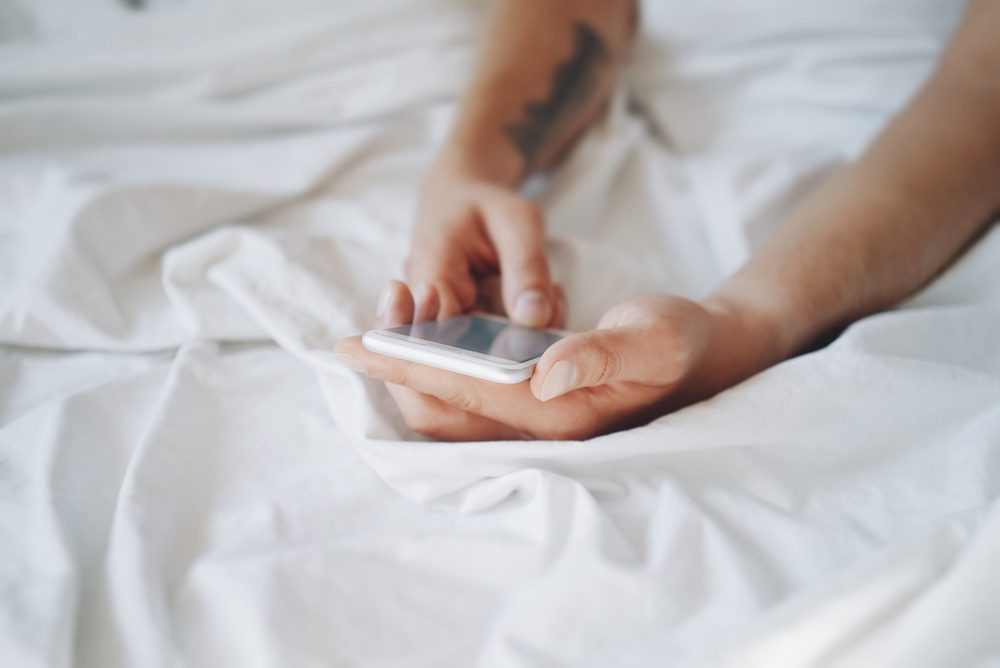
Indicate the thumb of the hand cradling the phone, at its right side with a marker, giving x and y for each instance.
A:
(636, 353)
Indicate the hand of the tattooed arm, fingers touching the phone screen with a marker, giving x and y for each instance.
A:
(468, 230)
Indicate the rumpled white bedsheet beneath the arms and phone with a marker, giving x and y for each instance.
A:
(197, 201)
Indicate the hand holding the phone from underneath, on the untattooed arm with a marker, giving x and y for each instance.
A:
(648, 356)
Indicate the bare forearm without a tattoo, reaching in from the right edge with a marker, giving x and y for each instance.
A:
(886, 225)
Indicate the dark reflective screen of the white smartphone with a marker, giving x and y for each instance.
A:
(484, 336)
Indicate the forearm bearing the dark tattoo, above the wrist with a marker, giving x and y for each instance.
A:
(546, 69)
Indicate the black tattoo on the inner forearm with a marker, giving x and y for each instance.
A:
(573, 84)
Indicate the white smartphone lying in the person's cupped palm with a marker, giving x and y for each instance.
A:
(482, 346)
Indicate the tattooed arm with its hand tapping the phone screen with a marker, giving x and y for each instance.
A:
(545, 71)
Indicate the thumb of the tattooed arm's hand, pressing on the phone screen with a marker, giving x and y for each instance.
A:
(517, 228)
